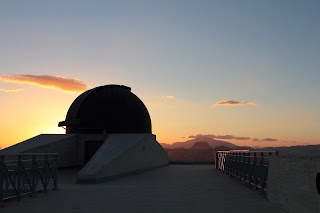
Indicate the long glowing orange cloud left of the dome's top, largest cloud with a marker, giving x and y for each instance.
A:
(56, 82)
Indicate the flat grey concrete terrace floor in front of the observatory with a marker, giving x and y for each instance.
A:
(175, 188)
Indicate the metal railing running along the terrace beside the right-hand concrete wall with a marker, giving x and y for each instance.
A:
(248, 166)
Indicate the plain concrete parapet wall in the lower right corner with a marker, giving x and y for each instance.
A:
(292, 183)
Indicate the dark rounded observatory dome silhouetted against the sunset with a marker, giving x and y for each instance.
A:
(109, 109)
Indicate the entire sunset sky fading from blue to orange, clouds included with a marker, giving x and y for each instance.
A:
(246, 69)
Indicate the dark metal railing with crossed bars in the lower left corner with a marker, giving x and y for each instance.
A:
(26, 174)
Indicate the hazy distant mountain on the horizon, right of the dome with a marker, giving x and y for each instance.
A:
(188, 144)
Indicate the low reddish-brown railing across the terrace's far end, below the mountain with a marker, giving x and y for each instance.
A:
(191, 156)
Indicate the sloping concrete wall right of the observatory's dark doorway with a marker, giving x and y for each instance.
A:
(123, 154)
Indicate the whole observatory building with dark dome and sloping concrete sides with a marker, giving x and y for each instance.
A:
(108, 132)
